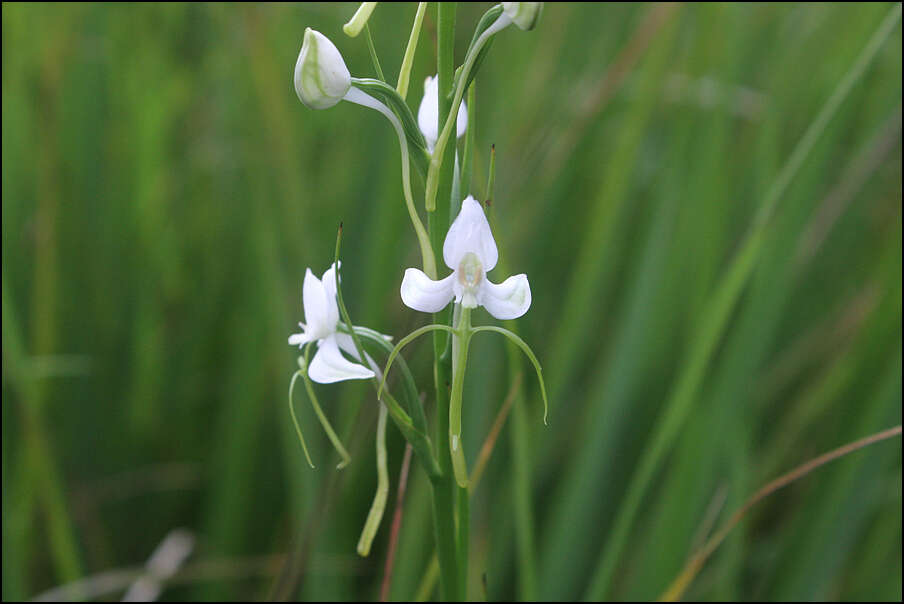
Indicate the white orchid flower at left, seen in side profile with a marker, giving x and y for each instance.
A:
(322, 314)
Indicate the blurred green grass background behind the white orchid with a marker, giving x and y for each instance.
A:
(164, 190)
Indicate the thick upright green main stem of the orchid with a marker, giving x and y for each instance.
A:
(444, 487)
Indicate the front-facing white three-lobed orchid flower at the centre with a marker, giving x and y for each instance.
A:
(470, 251)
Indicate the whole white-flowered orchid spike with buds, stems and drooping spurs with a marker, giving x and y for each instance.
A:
(469, 249)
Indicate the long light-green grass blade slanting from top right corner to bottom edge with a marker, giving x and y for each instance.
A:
(714, 320)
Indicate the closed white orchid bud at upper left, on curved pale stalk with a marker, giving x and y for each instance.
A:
(321, 77)
